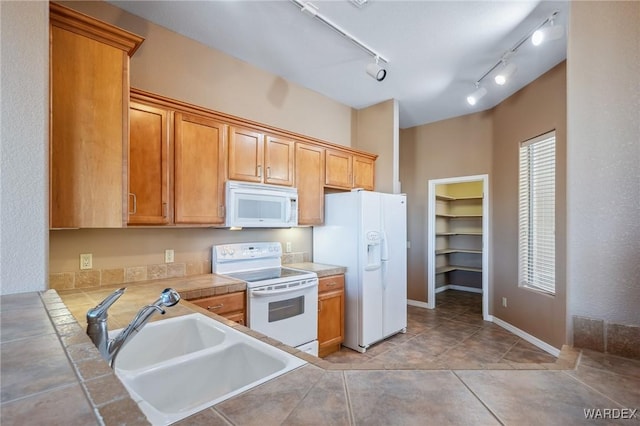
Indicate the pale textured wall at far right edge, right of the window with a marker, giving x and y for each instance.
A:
(603, 171)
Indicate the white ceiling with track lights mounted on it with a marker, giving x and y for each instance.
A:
(436, 49)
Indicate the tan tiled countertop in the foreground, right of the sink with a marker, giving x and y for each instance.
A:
(601, 390)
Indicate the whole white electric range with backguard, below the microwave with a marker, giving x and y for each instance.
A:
(282, 302)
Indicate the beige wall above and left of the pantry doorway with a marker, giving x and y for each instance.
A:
(456, 147)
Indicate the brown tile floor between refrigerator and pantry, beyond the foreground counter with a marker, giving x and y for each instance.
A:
(451, 336)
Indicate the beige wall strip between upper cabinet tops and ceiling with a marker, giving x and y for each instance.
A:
(177, 67)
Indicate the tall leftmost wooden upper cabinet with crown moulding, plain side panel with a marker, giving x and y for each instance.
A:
(89, 93)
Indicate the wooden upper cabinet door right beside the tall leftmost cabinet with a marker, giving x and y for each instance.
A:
(148, 165)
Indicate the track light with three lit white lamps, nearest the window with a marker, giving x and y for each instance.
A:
(537, 36)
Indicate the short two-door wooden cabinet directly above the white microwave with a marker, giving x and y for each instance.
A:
(260, 158)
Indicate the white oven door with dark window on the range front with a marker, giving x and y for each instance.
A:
(286, 312)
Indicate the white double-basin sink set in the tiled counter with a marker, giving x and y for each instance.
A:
(176, 367)
